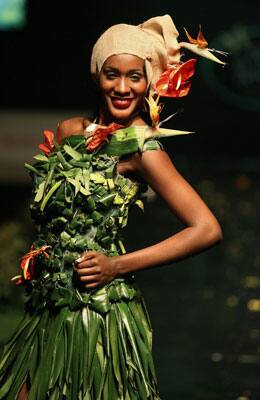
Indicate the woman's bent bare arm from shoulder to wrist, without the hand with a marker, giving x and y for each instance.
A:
(202, 229)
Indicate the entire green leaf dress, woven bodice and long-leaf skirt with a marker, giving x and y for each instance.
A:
(74, 343)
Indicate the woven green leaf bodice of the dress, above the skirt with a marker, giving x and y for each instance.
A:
(80, 203)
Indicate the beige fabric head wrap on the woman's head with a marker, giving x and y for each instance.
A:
(155, 41)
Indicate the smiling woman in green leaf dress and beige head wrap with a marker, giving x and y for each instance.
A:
(86, 333)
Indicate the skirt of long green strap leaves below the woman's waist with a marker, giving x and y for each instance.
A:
(92, 353)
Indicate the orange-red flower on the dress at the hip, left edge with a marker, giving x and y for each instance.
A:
(28, 263)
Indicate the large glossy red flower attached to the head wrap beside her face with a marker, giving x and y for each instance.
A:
(175, 81)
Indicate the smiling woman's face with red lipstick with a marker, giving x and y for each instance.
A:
(123, 86)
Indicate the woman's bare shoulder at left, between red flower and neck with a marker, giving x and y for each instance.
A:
(71, 126)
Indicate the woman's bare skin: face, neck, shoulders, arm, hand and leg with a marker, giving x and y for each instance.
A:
(123, 77)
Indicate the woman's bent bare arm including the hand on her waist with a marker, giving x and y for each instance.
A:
(201, 227)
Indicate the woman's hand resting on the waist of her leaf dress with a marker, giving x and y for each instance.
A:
(95, 269)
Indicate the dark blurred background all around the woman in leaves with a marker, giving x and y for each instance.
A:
(205, 311)
